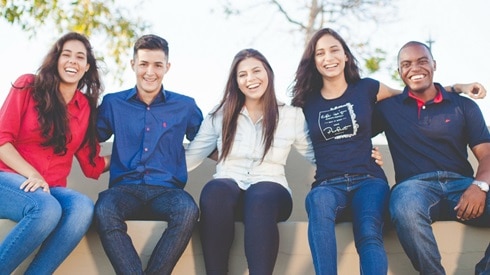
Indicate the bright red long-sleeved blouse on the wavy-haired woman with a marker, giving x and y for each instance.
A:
(19, 126)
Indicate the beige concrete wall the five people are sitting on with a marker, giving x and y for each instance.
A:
(461, 246)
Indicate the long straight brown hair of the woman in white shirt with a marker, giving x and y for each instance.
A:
(233, 101)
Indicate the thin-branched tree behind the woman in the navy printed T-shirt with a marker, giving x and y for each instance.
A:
(308, 16)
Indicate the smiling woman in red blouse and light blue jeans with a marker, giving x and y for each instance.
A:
(45, 121)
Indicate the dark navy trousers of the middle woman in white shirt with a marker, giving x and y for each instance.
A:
(261, 207)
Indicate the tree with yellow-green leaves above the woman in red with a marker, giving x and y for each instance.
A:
(111, 28)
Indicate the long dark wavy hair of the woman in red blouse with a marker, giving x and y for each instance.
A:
(51, 107)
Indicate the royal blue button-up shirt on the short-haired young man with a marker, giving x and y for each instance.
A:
(147, 146)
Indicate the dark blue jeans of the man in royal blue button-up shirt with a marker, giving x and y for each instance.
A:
(140, 201)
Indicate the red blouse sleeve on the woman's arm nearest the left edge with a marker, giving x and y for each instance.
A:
(13, 109)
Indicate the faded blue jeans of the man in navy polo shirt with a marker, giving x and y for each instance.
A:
(421, 200)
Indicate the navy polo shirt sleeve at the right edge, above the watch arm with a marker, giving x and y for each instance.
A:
(476, 127)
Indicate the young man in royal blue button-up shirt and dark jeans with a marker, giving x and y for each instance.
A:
(148, 168)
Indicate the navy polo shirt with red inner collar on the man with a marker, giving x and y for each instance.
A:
(433, 136)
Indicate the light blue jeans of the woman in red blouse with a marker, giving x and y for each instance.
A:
(56, 222)
